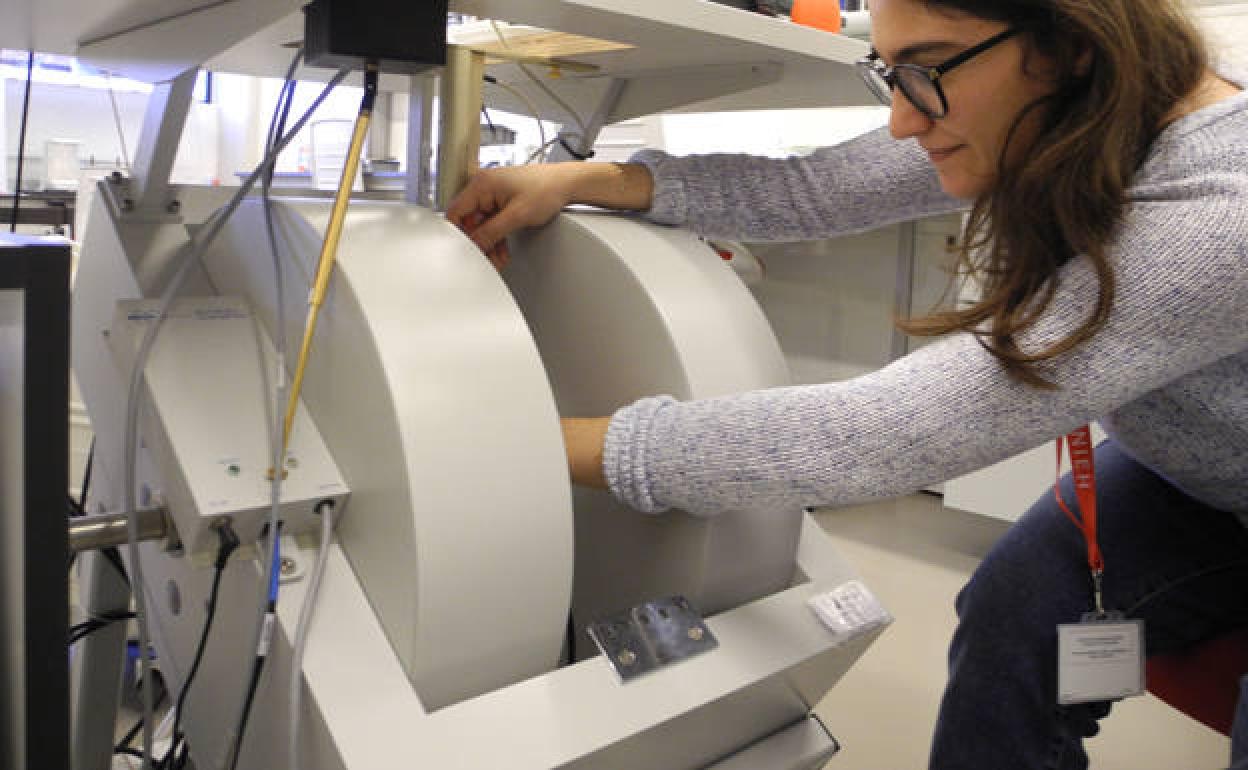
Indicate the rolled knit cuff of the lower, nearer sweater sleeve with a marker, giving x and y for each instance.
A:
(625, 462)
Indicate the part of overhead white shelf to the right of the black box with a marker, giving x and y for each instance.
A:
(691, 56)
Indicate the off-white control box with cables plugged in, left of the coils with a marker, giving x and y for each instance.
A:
(208, 422)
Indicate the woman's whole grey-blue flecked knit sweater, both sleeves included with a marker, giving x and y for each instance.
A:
(1168, 376)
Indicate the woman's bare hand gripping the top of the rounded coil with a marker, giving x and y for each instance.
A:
(499, 202)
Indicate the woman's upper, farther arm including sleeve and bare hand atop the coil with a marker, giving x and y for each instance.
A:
(859, 185)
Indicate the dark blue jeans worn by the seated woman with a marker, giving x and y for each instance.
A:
(1172, 561)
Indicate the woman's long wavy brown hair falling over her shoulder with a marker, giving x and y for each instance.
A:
(1123, 66)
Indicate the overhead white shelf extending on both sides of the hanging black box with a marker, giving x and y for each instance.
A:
(688, 54)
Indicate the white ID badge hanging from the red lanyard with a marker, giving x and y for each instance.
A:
(1100, 660)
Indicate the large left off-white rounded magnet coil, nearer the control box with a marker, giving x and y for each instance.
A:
(431, 396)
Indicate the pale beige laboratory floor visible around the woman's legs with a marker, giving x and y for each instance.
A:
(915, 556)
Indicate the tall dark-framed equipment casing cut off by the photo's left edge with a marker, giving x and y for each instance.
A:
(34, 480)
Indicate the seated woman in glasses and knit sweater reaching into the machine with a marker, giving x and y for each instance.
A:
(1106, 169)
